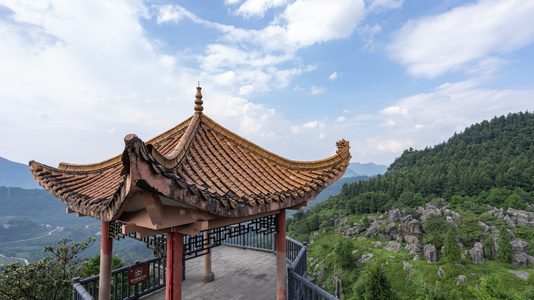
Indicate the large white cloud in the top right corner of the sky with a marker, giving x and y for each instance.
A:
(463, 37)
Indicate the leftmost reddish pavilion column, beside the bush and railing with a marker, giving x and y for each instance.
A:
(106, 251)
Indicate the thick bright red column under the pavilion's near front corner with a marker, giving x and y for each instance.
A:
(175, 249)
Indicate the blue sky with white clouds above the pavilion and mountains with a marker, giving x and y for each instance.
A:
(292, 76)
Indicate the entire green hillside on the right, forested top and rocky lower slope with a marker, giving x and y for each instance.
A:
(453, 221)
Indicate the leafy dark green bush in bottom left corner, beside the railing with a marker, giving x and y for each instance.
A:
(49, 278)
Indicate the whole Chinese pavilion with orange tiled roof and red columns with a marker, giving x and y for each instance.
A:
(195, 179)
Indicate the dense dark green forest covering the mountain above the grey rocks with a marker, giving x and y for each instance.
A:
(494, 154)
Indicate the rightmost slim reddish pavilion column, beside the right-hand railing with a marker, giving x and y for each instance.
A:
(281, 267)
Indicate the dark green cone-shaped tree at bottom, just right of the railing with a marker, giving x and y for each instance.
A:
(373, 284)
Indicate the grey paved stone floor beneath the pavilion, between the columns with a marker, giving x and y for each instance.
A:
(239, 275)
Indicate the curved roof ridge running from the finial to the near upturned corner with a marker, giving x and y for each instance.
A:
(175, 157)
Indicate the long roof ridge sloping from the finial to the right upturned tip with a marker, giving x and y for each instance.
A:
(341, 154)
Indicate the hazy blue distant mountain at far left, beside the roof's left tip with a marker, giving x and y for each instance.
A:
(14, 174)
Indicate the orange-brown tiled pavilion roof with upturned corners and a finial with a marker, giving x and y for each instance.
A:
(198, 164)
